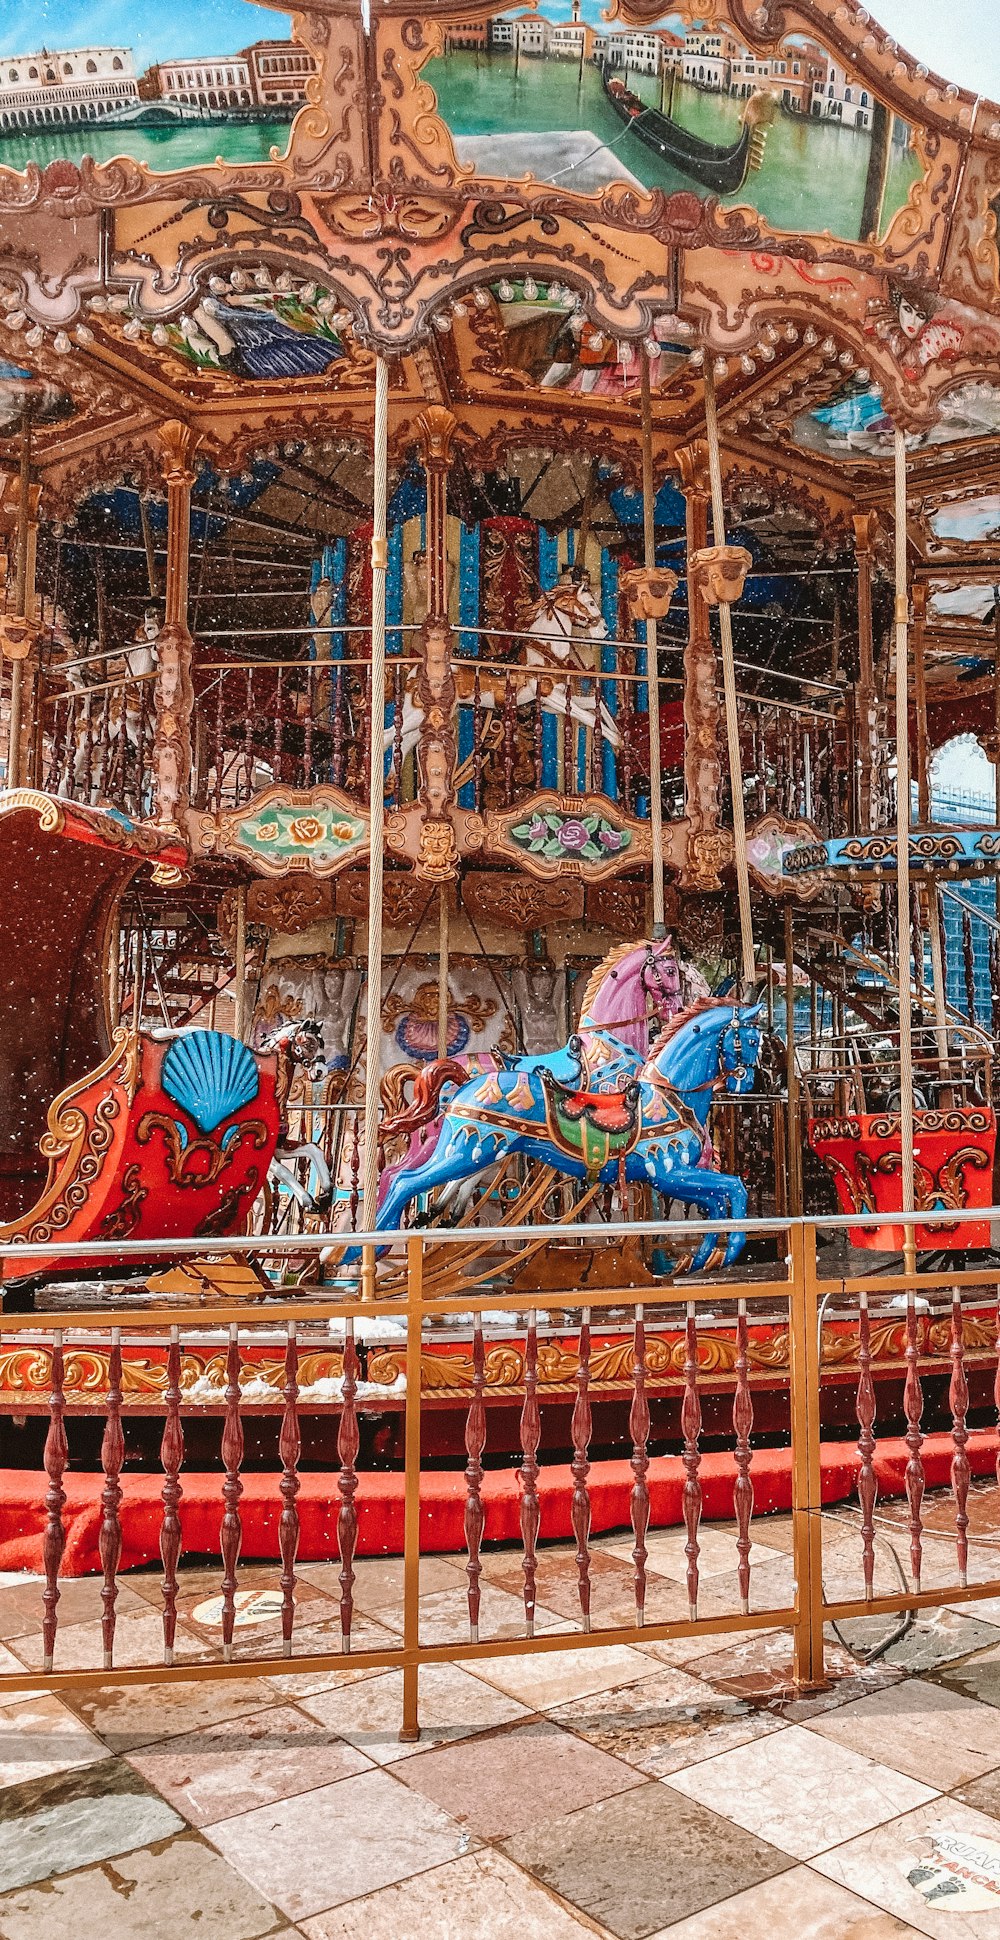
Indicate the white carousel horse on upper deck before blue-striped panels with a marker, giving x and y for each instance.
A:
(554, 624)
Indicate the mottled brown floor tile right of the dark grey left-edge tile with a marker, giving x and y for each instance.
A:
(246, 1762)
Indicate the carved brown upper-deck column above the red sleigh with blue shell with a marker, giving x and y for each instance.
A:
(174, 695)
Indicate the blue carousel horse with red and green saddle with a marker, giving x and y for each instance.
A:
(651, 1130)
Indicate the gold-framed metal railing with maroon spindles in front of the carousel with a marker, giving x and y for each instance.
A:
(539, 1330)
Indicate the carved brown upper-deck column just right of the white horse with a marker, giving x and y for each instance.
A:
(702, 713)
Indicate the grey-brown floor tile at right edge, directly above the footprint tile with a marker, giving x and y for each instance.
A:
(923, 1730)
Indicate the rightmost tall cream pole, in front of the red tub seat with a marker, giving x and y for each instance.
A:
(902, 847)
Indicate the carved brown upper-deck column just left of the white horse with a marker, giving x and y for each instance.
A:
(438, 752)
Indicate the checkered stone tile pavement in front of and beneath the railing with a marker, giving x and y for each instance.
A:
(636, 1792)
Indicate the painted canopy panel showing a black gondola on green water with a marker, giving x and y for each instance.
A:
(683, 106)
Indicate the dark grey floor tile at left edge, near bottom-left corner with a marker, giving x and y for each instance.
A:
(79, 1819)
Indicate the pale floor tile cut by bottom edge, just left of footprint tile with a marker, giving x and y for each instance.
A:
(795, 1906)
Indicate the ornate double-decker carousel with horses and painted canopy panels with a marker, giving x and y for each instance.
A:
(508, 560)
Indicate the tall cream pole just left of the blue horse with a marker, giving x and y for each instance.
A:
(380, 564)
